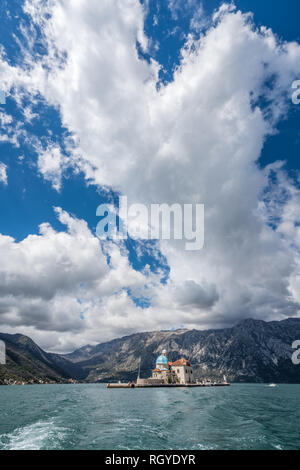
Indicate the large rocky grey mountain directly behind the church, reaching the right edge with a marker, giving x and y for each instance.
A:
(252, 351)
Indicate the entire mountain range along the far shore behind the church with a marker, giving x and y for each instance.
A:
(251, 351)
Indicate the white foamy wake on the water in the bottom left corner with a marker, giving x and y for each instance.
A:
(36, 436)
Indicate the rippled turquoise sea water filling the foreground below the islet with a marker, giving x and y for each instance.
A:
(93, 417)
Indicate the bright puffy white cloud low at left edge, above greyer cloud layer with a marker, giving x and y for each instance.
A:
(43, 264)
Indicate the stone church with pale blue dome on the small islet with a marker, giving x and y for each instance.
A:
(166, 372)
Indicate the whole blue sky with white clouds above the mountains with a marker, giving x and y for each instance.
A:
(164, 102)
